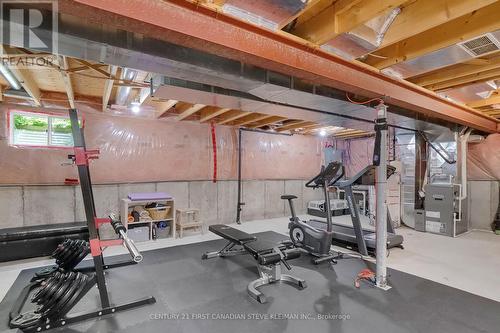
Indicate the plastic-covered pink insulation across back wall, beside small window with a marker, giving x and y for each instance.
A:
(142, 150)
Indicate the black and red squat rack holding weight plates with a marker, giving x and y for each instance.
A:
(54, 291)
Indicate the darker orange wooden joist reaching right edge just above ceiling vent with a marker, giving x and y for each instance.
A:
(460, 29)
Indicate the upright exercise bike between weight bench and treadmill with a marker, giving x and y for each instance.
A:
(315, 241)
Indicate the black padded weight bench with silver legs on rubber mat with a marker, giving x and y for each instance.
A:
(269, 257)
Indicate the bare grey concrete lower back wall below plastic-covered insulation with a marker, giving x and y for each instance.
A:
(36, 205)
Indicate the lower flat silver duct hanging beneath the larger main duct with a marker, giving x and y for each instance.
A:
(273, 99)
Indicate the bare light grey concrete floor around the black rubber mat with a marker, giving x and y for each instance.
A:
(469, 262)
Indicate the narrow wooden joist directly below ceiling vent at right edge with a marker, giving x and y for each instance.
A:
(453, 72)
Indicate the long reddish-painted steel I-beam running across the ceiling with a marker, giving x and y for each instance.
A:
(196, 26)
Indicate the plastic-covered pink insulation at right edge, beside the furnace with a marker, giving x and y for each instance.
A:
(483, 159)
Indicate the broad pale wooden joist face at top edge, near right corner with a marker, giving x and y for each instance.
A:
(420, 15)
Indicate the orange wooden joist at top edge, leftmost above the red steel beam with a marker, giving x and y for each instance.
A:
(336, 19)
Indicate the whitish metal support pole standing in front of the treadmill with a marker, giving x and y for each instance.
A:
(381, 188)
